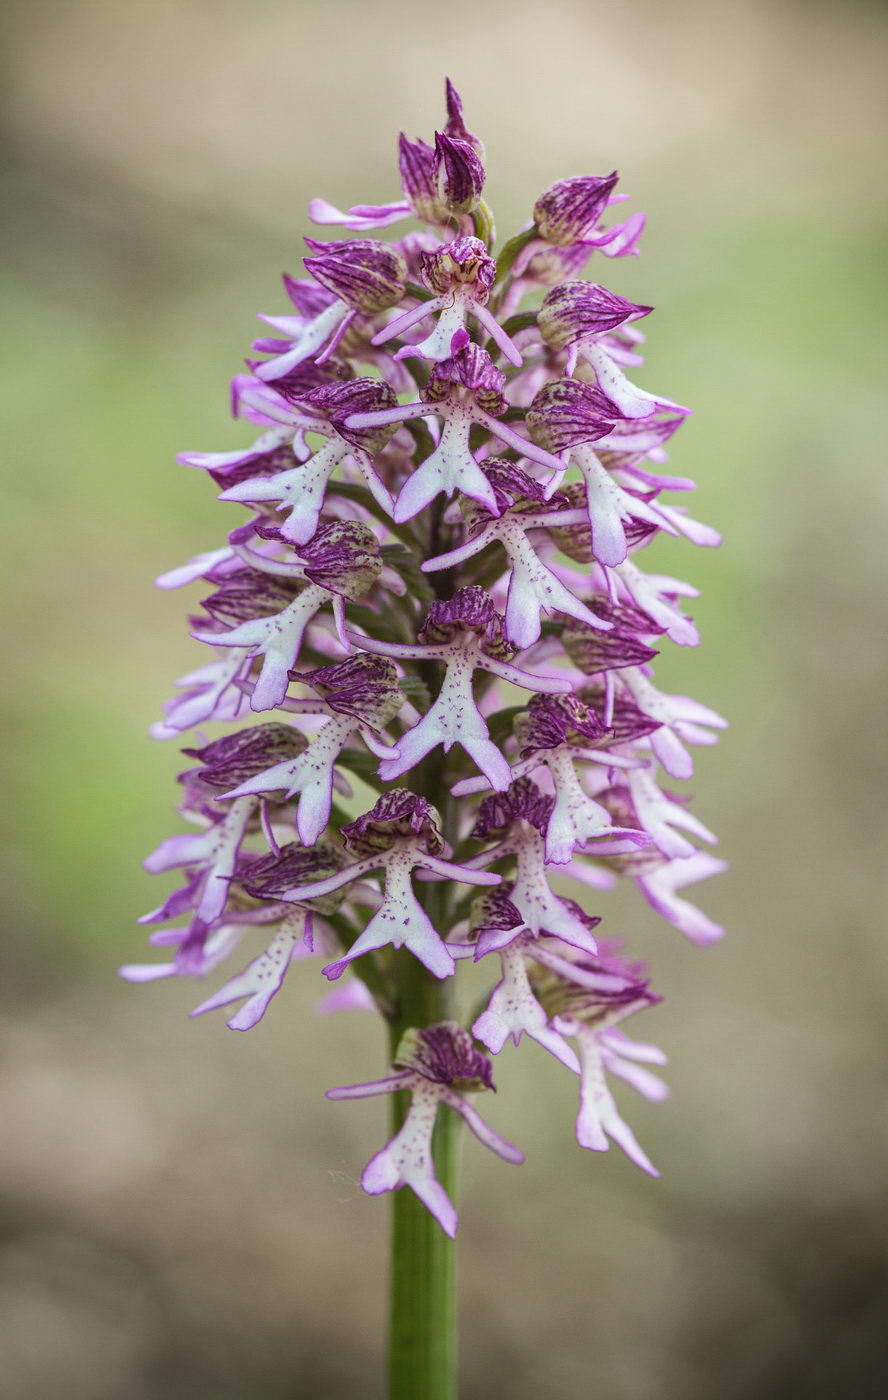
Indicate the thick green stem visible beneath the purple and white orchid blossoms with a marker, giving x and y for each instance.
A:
(422, 1338)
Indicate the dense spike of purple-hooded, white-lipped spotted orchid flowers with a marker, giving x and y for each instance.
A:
(438, 594)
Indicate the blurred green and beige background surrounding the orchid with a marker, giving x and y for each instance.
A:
(181, 1213)
